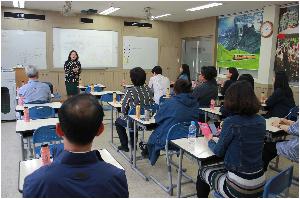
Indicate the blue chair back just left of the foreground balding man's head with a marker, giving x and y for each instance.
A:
(46, 135)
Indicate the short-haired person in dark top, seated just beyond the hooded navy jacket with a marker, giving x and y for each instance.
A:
(208, 89)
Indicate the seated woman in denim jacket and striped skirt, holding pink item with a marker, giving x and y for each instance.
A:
(241, 144)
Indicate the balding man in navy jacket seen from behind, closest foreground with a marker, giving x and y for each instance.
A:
(77, 171)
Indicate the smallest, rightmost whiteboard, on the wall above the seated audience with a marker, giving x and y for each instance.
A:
(140, 52)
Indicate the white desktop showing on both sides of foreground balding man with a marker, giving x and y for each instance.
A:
(29, 166)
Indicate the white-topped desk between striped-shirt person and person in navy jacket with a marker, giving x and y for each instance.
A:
(136, 123)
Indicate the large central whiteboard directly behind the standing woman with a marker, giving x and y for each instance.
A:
(95, 48)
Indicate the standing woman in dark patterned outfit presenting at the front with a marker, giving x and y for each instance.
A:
(72, 69)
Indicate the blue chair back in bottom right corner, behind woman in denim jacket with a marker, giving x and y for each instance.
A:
(278, 183)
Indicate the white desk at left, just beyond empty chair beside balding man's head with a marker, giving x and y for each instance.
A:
(24, 127)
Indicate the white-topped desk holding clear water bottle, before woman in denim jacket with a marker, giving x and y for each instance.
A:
(200, 151)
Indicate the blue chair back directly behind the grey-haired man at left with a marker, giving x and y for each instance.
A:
(41, 112)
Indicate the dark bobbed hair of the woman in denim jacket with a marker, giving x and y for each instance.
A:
(240, 99)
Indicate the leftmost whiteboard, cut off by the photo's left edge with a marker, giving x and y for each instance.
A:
(24, 48)
